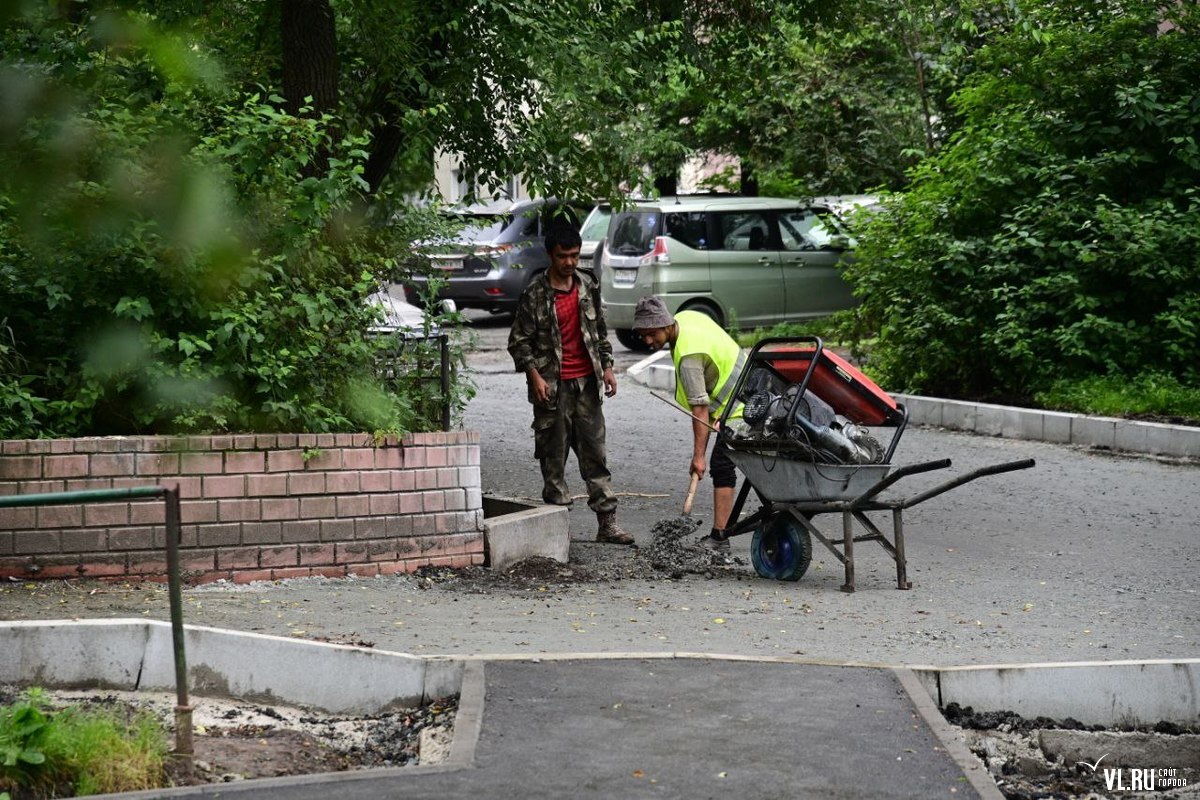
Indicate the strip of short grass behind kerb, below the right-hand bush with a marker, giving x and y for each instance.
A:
(1148, 395)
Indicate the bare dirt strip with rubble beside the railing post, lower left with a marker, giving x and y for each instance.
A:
(238, 742)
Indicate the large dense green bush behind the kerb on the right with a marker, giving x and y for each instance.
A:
(1058, 236)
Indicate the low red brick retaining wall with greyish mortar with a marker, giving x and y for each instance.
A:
(253, 507)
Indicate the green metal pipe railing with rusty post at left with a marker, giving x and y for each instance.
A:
(184, 749)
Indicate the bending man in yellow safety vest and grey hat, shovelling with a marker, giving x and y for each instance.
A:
(707, 363)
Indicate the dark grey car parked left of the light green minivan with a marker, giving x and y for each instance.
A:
(496, 254)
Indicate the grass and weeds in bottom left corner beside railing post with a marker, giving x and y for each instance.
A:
(77, 751)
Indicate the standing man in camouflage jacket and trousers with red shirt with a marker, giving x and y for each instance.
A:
(561, 342)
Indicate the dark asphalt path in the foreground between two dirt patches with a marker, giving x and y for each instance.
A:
(671, 729)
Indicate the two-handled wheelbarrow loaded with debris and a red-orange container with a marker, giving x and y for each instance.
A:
(807, 470)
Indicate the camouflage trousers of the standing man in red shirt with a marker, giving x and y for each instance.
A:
(577, 423)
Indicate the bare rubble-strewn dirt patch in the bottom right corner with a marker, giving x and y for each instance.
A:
(1027, 766)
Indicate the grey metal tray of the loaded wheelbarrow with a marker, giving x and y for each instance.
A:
(779, 478)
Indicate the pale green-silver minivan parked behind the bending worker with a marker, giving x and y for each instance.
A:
(747, 262)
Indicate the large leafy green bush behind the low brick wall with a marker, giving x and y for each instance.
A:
(178, 255)
